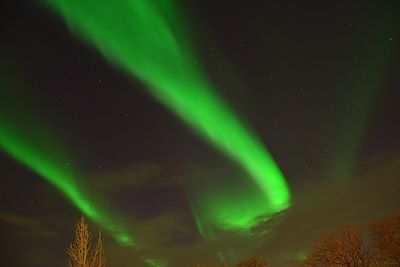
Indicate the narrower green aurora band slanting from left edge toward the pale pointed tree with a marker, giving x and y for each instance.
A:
(25, 137)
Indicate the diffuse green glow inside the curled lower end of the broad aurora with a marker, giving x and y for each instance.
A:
(226, 201)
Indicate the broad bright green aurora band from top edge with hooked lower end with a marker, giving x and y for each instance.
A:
(147, 39)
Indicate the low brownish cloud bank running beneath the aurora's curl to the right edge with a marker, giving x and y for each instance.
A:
(320, 207)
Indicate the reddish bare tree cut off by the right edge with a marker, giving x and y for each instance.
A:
(385, 239)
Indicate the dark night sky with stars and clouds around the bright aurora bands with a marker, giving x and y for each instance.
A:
(317, 82)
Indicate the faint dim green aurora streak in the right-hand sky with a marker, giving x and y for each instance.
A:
(366, 81)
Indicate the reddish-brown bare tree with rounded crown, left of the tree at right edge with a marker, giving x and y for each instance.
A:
(346, 249)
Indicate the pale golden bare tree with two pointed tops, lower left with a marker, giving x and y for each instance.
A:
(80, 253)
